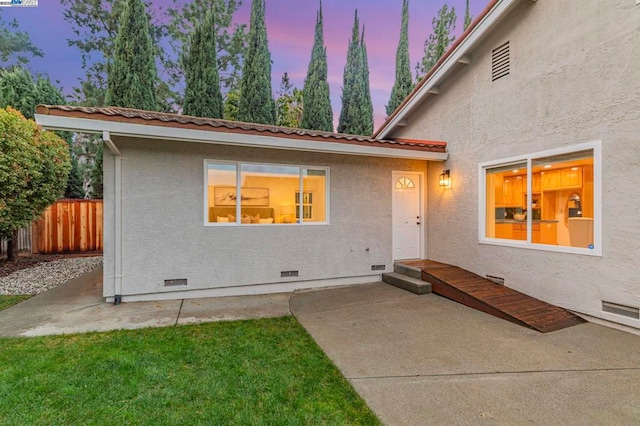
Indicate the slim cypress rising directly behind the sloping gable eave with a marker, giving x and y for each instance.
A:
(404, 82)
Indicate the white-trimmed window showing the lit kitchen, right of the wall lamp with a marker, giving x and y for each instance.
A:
(548, 200)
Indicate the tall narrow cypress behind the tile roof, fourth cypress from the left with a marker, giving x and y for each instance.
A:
(317, 114)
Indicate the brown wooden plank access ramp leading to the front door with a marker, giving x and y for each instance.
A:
(503, 302)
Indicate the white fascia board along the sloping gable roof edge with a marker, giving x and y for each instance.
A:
(496, 15)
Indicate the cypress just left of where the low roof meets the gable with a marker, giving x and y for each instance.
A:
(356, 116)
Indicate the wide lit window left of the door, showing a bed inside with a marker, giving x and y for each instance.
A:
(269, 194)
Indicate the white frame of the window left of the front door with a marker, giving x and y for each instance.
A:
(238, 165)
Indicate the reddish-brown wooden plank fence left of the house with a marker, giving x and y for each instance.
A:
(69, 226)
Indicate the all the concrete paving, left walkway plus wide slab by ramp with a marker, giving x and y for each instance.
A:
(416, 360)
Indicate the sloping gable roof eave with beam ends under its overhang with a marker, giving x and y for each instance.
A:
(491, 17)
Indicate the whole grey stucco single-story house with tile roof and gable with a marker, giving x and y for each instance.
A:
(539, 105)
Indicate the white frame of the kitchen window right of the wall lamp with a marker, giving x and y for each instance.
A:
(596, 146)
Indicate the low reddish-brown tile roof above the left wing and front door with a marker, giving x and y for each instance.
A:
(134, 116)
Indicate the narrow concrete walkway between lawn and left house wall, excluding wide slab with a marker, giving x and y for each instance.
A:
(78, 307)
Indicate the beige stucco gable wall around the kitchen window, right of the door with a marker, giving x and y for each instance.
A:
(575, 77)
